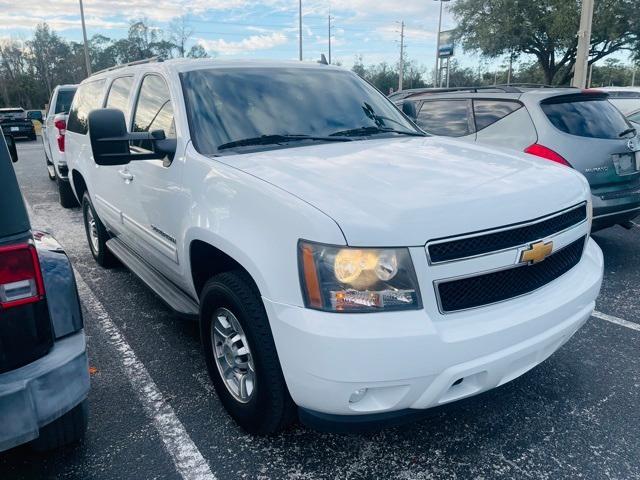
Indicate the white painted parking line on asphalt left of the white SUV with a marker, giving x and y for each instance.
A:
(188, 460)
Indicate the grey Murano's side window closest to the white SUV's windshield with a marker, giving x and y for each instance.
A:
(448, 118)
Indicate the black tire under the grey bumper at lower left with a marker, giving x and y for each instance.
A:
(69, 428)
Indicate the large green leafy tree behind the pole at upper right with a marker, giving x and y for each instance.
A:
(547, 30)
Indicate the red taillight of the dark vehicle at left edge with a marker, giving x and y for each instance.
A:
(20, 276)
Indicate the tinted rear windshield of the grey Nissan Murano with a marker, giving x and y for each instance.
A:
(585, 116)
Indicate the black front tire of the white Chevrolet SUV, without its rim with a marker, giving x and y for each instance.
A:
(270, 407)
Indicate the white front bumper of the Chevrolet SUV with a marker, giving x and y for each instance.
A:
(418, 360)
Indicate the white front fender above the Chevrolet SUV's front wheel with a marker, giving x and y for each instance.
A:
(255, 223)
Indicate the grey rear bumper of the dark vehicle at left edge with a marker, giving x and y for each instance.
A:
(42, 391)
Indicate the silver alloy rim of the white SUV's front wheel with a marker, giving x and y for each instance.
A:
(232, 355)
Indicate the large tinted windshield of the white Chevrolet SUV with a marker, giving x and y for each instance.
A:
(228, 105)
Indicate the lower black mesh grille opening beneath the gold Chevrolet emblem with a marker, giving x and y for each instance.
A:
(497, 286)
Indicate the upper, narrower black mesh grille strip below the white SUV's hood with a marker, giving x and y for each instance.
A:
(444, 251)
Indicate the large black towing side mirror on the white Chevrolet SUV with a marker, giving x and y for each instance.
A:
(110, 139)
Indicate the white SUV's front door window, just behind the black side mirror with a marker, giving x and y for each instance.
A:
(154, 110)
